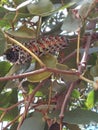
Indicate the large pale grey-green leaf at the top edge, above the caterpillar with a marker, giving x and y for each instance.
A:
(41, 7)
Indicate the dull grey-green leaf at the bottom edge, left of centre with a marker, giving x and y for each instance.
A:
(35, 122)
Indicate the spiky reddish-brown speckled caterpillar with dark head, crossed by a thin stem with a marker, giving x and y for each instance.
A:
(42, 46)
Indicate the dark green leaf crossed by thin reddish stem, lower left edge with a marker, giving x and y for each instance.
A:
(8, 99)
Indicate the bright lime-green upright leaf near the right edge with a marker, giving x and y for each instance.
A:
(90, 100)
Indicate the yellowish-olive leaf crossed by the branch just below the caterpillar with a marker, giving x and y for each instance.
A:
(49, 61)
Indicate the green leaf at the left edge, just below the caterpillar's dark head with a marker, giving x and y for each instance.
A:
(4, 67)
